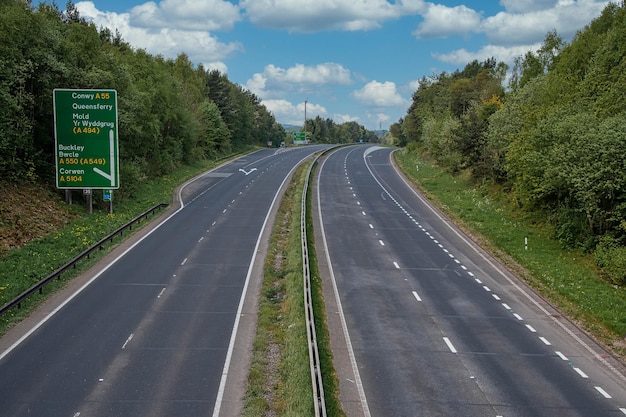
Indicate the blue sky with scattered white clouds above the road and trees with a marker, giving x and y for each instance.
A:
(346, 60)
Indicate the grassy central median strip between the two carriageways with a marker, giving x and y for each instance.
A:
(279, 382)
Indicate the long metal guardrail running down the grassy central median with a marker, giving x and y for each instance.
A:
(316, 371)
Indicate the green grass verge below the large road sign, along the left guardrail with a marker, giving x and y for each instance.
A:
(23, 267)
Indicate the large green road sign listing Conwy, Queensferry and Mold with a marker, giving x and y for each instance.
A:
(86, 141)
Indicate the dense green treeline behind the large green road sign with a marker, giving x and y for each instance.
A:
(170, 111)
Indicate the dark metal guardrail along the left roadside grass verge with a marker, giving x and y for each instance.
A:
(17, 301)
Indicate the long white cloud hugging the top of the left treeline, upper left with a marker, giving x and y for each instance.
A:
(200, 46)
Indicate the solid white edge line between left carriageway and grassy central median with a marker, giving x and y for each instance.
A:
(233, 336)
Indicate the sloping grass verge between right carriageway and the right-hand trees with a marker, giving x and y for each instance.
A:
(567, 278)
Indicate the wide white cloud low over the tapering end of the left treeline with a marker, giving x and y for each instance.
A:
(274, 81)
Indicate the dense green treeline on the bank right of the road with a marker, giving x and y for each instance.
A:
(554, 140)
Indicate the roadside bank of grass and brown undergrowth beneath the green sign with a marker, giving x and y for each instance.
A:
(68, 230)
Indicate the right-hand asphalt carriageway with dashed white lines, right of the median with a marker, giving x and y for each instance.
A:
(432, 325)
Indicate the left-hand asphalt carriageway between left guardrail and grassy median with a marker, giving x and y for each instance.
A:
(152, 334)
